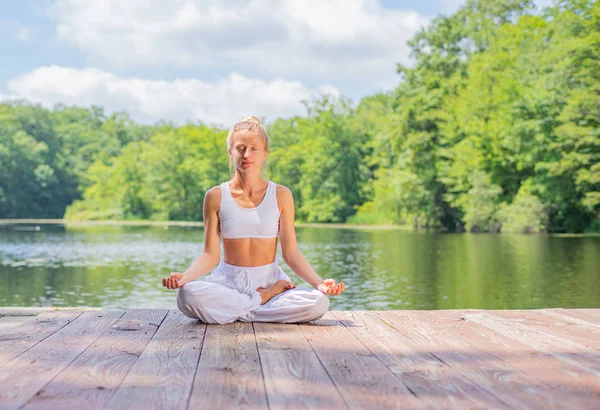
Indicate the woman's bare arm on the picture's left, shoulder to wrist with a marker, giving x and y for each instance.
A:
(212, 246)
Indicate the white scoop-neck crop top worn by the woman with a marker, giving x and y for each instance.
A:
(261, 221)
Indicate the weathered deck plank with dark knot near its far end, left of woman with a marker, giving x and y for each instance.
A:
(92, 378)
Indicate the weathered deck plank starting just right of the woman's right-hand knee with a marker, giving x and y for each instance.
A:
(430, 379)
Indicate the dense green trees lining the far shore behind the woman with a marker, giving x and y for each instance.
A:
(494, 128)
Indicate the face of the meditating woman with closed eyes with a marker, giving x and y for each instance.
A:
(248, 150)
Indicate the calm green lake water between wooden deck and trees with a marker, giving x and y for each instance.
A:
(122, 266)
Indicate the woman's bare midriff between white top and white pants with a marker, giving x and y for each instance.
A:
(249, 251)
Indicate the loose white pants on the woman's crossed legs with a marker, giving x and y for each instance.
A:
(229, 294)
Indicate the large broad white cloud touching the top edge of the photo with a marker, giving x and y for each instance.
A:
(323, 40)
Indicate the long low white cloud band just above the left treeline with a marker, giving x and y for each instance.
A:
(221, 102)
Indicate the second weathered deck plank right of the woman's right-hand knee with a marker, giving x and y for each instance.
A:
(515, 387)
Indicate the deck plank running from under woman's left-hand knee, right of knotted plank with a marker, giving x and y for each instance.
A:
(163, 375)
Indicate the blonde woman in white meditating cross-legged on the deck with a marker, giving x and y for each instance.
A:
(249, 212)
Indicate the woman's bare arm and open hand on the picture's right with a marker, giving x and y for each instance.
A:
(289, 246)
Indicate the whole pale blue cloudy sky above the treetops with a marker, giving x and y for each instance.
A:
(209, 61)
